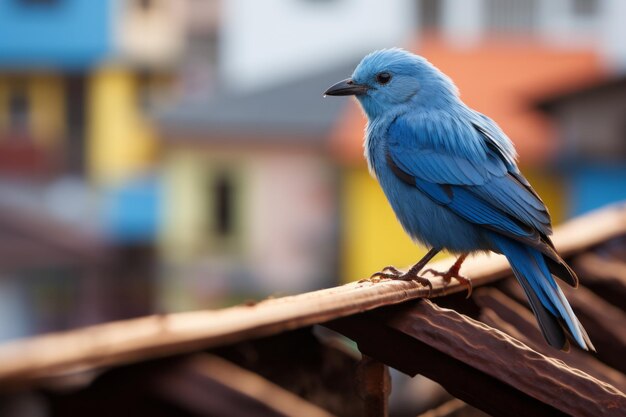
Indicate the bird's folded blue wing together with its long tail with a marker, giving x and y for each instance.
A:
(464, 167)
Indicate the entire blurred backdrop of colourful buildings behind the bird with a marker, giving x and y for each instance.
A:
(169, 155)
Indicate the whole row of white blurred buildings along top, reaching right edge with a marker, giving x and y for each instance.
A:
(267, 42)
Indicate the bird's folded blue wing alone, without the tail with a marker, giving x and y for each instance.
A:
(472, 177)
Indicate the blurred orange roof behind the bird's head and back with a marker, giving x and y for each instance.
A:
(502, 80)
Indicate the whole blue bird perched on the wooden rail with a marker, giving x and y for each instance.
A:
(450, 175)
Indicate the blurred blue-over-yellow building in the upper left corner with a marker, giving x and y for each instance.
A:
(81, 107)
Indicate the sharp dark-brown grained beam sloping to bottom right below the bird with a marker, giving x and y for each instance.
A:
(478, 364)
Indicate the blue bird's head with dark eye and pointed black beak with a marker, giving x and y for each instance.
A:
(388, 79)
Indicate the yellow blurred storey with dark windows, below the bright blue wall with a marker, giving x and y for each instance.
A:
(80, 123)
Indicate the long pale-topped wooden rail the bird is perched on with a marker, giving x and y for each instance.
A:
(165, 335)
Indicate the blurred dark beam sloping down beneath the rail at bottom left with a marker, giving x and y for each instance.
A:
(186, 386)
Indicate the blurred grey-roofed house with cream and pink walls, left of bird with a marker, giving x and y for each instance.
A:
(250, 191)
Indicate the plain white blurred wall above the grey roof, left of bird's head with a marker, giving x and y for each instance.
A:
(268, 43)
